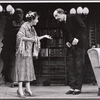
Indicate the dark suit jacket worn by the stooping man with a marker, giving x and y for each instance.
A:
(74, 27)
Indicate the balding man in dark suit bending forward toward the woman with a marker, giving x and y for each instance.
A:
(74, 31)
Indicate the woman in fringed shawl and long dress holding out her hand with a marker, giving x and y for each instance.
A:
(24, 68)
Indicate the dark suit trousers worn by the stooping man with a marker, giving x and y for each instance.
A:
(75, 64)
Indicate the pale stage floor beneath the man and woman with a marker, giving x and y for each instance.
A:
(50, 92)
